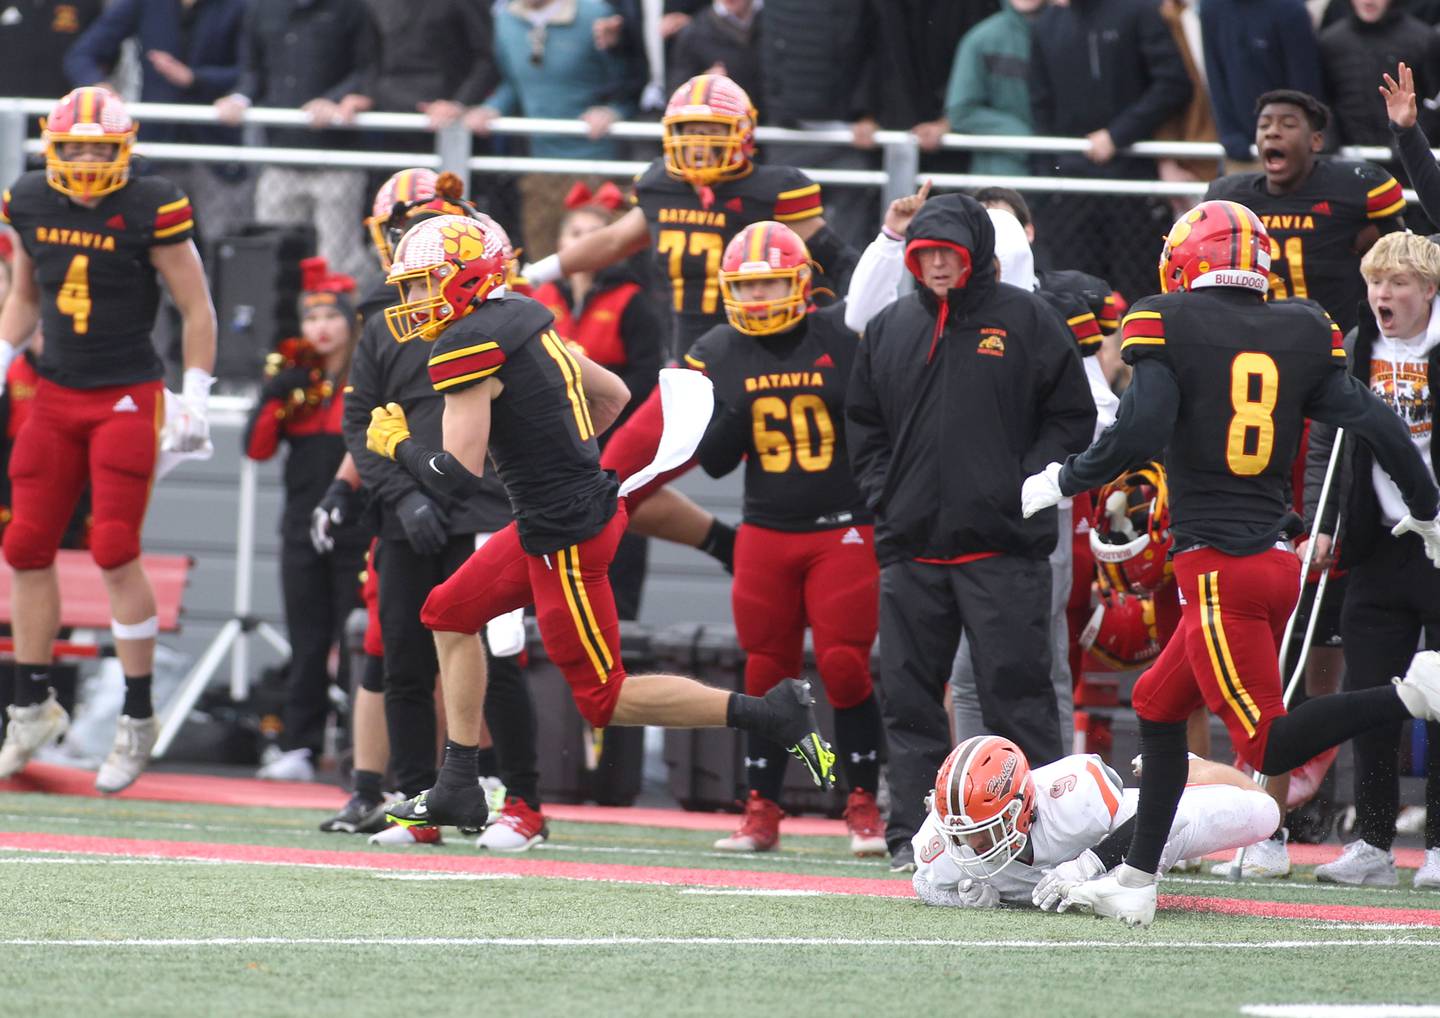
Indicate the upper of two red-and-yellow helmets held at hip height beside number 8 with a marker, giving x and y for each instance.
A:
(1130, 536)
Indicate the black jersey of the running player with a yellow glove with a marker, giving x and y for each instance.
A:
(542, 438)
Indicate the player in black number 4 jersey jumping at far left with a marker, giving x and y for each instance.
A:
(93, 248)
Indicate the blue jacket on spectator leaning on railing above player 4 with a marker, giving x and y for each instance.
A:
(214, 54)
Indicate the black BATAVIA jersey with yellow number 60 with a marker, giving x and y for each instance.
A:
(781, 405)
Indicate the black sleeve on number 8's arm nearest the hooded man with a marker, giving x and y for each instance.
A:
(1143, 425)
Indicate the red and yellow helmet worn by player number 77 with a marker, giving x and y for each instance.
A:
(696, 150)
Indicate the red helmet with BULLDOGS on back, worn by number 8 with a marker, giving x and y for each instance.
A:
(1216, 244)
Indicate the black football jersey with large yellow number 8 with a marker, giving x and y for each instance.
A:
(1248, 372)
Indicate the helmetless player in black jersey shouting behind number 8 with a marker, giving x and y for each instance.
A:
(1323, 215)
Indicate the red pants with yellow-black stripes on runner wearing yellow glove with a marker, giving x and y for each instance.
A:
(575, 608)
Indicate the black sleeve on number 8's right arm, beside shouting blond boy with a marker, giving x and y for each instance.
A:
(1344, 402)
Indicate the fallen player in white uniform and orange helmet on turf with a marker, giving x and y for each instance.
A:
(1002, 833)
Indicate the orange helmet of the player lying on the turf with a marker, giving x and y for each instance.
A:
(986, 801)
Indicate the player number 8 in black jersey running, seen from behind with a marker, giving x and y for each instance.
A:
(1225, 382)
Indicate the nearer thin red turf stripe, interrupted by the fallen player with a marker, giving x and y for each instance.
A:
(640, 875)
